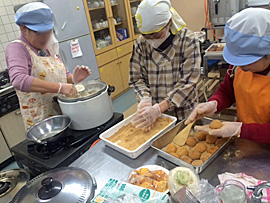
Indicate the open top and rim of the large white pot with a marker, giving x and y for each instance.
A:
(92, 89)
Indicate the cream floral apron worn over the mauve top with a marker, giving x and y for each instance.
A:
(36, 106)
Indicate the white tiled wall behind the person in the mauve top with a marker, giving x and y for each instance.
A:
(9, 31)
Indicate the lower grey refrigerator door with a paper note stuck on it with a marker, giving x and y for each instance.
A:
(88, 57)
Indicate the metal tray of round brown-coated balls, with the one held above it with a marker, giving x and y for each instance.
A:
(199, 150)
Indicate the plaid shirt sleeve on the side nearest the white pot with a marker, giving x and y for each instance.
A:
(138, 74)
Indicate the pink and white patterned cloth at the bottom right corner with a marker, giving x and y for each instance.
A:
(247, 181)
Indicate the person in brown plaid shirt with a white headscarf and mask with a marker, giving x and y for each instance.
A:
(165, 64)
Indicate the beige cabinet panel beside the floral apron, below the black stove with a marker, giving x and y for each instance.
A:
(12, 128)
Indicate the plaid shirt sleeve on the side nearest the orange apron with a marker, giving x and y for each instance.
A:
(182, 91)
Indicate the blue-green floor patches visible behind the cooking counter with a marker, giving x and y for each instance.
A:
(120, 104)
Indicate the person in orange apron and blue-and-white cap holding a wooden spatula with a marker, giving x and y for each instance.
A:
(247, 83)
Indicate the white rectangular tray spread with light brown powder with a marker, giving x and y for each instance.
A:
(132, 141)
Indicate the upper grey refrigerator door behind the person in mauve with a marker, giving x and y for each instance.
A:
(69, 18)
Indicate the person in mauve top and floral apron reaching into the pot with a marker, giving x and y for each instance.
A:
(35, 70)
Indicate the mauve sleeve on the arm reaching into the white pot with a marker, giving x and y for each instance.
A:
(19, 67)
